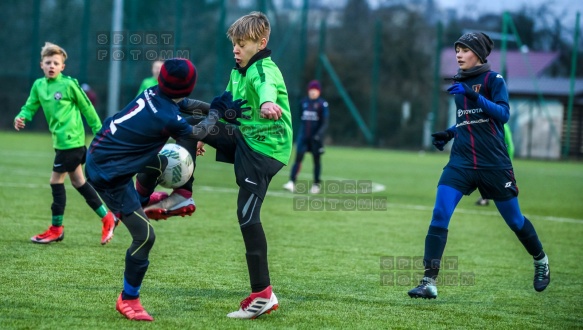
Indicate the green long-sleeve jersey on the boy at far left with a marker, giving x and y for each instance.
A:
(63, 101)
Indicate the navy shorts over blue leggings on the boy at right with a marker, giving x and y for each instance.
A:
(499, 185)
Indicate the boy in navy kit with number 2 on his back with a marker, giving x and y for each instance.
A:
(128, 144)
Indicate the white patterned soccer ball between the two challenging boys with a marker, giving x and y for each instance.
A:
(180, 166)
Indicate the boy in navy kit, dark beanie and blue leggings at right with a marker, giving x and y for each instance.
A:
(479, 159)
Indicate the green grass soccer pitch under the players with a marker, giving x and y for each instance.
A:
(329, 268)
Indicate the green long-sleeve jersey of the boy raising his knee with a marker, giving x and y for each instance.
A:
(260, 82)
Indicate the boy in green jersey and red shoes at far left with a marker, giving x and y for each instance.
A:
(63, 101)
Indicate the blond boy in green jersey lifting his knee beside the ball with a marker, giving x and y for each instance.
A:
(258, 146)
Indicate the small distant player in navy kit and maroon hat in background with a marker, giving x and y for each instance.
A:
(314, 121)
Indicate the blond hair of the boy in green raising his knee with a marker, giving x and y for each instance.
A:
(252, 26)
